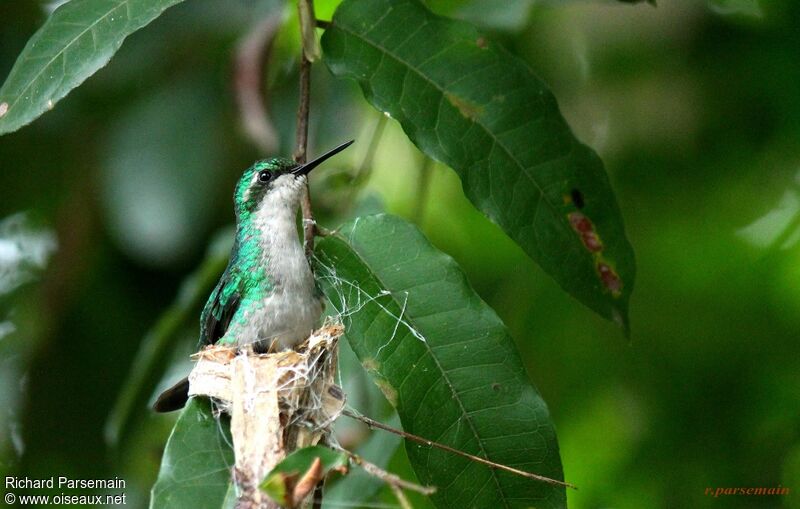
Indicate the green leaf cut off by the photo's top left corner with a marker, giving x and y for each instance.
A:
(79, 38)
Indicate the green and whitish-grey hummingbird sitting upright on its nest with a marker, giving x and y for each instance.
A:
(267, 296)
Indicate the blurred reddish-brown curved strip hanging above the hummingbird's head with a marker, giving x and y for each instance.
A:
(252, 56)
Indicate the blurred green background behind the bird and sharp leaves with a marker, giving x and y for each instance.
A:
(694, 106)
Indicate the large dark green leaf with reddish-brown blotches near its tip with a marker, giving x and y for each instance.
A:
(468, 103)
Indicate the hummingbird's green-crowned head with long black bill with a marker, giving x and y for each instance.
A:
(275, 182)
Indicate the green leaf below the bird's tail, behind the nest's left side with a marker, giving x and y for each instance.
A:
(196, 468)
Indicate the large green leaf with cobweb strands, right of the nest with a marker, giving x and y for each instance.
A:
(445, 360)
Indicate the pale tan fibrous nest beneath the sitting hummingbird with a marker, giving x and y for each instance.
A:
(278, 402)
